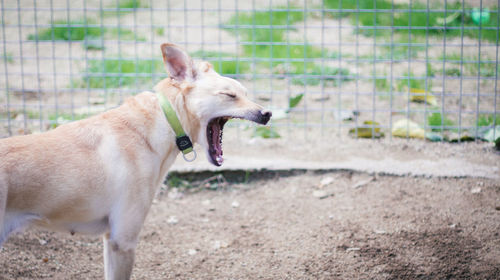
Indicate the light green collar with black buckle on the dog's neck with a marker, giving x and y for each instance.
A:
(181, 139)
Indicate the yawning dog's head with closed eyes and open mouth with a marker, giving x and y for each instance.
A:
(210, 99)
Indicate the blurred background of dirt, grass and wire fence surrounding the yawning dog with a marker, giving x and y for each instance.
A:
(357, 176)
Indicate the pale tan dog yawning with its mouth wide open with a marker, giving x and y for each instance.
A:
(100, 175)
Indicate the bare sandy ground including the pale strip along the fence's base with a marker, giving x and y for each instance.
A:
(283, 222)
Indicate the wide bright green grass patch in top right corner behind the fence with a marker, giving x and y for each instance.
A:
(417, 19)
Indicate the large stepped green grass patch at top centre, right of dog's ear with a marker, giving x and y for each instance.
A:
(272, 28)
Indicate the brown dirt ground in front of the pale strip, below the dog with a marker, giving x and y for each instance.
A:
(287, 225)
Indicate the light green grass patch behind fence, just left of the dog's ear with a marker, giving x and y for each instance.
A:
(114, 73)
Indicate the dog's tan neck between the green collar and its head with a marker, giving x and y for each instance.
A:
(176, 93)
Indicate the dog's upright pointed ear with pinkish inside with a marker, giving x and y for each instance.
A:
(178, 63)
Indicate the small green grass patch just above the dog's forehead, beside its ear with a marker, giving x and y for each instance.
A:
(224, 63)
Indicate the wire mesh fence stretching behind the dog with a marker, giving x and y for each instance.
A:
(364, 68)
